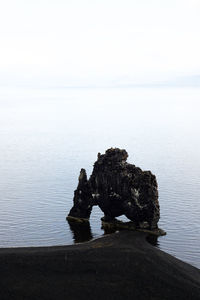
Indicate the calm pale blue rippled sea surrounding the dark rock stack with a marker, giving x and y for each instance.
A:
(47, 136)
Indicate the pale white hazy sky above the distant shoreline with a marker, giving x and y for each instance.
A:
(98, 42)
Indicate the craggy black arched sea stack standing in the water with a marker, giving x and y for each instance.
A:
(118, 188)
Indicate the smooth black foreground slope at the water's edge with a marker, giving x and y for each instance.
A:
(117, 266)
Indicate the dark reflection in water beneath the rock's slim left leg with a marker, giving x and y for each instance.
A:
(81, 231)
